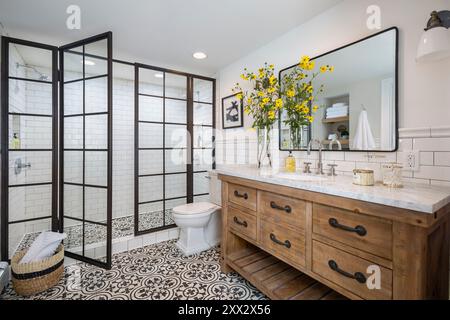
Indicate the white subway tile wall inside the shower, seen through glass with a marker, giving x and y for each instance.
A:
(35, 132)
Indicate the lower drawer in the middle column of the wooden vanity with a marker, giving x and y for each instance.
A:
(283, 242)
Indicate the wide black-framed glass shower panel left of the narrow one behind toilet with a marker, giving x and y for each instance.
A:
(161, 144)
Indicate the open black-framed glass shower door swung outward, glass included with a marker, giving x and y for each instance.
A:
(86, 149)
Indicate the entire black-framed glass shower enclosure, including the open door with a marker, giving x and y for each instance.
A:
(75, 120)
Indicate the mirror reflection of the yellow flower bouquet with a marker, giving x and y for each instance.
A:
(299, 96)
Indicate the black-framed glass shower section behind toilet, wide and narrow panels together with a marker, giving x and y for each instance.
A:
(174, 143)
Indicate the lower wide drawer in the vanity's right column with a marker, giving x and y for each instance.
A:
(349, 272)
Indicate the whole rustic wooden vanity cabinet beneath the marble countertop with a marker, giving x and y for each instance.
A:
(296, 244)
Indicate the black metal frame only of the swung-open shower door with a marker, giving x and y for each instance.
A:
(108, 224)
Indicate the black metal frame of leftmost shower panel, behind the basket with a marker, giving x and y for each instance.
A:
(5, 150)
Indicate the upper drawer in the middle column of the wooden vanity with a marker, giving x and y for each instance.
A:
(282, 210)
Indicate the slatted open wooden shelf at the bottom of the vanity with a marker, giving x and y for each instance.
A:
(276, 279)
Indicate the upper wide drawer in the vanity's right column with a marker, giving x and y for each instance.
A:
(370, 234)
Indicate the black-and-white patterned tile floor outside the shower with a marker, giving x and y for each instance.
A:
(156, 272)
